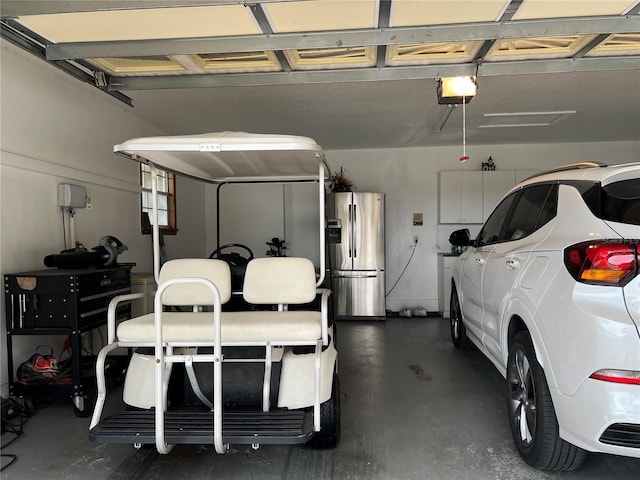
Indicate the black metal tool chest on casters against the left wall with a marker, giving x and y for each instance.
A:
(66, 302)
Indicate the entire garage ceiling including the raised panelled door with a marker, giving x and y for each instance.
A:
(352, 73)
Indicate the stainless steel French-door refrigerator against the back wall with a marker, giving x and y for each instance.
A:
(355, 222)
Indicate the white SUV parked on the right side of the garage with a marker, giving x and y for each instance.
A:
(549, 291)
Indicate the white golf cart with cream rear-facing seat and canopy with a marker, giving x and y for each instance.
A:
(203, 373)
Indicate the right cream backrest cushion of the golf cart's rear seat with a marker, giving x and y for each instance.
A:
(280, 280)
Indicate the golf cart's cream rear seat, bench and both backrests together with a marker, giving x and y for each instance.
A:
(278, 280)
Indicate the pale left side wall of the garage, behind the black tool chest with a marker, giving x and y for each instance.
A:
(56, 129)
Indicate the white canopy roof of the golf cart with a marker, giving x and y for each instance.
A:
(231, 156)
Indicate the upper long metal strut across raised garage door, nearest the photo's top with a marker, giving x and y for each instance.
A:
(347, 38)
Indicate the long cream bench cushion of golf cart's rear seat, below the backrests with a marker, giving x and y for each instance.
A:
(255, 326)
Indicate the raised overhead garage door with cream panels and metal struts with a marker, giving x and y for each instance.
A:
(131, 45)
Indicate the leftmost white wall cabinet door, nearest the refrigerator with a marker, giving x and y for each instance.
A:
(461, 197)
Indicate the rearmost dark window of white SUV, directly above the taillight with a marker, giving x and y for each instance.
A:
(615, 202)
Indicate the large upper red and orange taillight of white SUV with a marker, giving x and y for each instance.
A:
(603, 262)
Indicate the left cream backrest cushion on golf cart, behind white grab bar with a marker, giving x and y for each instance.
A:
(217, 271)
